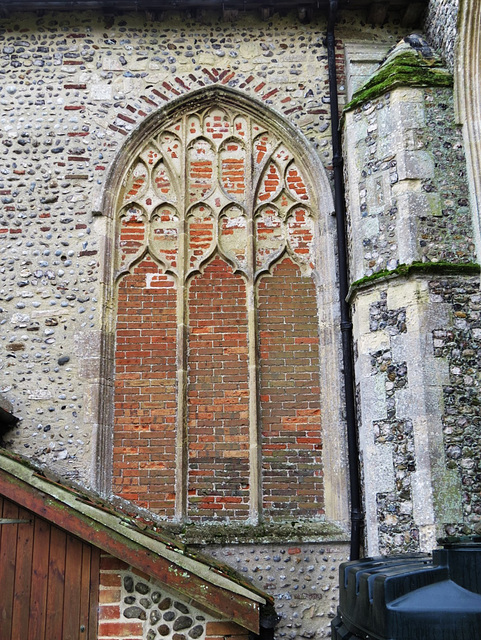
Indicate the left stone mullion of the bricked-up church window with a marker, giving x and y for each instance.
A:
(181, 451)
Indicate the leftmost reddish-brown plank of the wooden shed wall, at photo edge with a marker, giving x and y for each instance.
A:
(8, 553)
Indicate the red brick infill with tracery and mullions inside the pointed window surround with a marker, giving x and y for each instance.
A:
(217, 399)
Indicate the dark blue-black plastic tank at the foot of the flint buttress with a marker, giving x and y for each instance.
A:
(412, 597)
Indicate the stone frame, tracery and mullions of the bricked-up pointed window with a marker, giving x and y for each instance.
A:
(247, 138)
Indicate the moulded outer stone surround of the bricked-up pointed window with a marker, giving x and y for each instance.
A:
(307, 164)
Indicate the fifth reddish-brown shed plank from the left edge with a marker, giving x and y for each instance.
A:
(73, 570)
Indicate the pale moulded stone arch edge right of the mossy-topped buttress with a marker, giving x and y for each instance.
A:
(468, 90)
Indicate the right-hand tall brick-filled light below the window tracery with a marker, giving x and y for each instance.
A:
(289, 388)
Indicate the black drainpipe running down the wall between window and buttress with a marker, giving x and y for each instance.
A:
(346, 324)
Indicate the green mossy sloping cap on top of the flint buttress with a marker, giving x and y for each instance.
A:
(407, 68)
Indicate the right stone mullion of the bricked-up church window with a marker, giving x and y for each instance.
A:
(255, 453)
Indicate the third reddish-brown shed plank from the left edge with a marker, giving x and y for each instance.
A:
(38, 592)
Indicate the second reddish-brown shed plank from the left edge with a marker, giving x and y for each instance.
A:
(23, 575)
